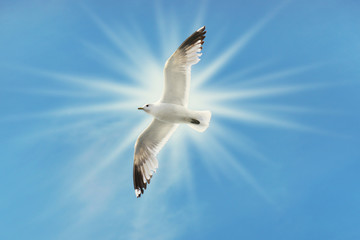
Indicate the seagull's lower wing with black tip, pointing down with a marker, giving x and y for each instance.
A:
(148, 145)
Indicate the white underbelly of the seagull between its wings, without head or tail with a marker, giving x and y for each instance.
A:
(172, 113)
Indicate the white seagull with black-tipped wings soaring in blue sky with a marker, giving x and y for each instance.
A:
(170, 111)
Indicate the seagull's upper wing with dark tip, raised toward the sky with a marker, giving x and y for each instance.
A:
(177, 69)
